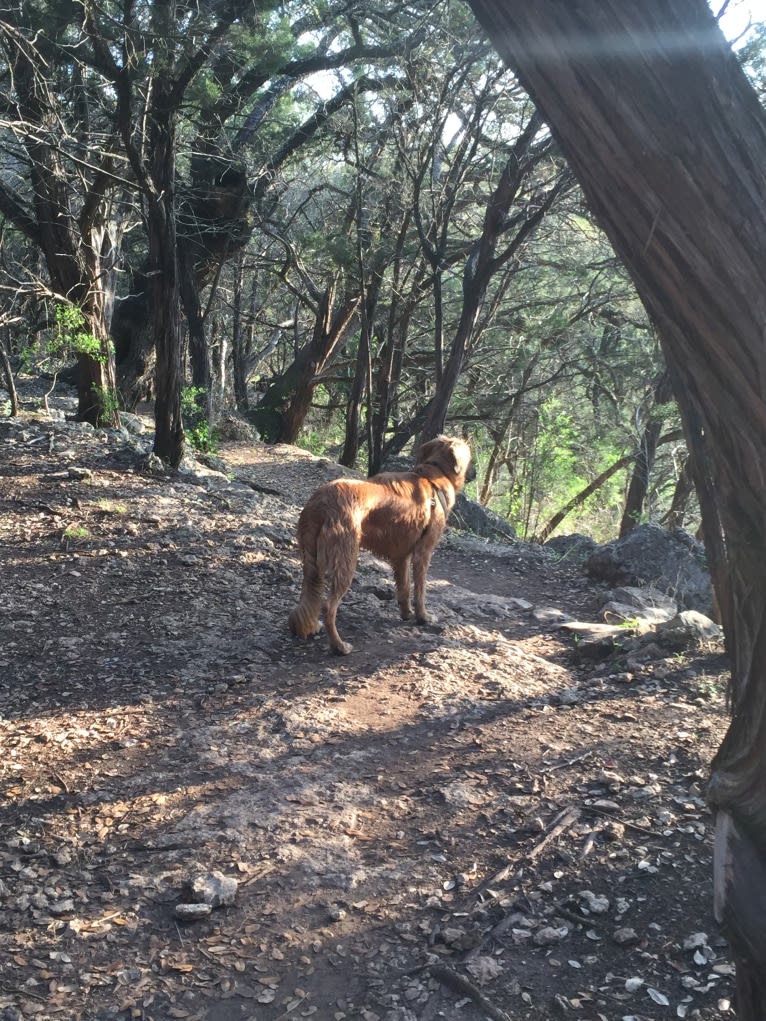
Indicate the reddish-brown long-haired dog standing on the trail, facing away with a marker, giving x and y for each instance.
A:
(398, 516)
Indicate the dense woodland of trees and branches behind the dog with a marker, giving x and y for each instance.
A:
(348, 225)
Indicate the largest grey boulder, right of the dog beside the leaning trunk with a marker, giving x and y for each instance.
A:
(671, 561)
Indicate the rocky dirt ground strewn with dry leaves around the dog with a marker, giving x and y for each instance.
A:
(464, 822)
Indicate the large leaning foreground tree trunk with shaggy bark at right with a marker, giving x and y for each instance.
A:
(669, 142)
